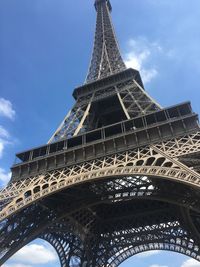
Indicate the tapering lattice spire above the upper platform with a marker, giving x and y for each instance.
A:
(106, 57)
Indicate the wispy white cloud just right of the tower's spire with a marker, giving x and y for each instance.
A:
(139, 56)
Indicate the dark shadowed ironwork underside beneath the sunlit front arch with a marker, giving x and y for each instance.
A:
(101, 223)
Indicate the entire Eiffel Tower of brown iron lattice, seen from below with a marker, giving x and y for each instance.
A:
(120, 176)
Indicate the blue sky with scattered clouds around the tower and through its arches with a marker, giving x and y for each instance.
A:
(45, 47)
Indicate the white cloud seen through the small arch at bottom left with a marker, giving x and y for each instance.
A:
(35, 254)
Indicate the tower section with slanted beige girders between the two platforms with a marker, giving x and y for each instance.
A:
(133, 101)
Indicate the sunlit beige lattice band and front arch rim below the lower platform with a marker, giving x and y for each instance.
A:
(157, 161)
